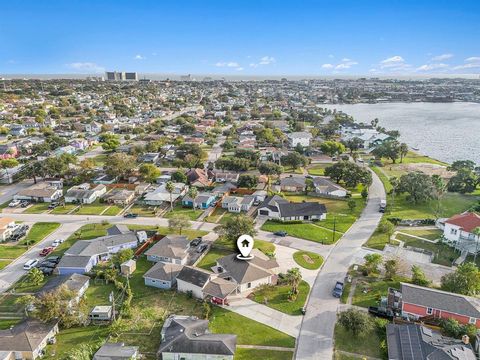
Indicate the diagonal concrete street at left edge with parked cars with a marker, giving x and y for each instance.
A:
(14, 271)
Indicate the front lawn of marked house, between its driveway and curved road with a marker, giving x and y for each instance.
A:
(276, 297)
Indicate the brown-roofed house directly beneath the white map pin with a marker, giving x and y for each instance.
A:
(247, 275)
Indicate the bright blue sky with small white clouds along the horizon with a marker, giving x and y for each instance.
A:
(351, 37)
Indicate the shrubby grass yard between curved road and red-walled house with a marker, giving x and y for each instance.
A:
(369, 290)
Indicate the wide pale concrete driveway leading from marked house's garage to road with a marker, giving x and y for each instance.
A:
(286, 323)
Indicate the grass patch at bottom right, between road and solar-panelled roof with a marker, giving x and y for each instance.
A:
(367, 343)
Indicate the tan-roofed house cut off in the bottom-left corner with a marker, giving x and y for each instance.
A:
(27, 339)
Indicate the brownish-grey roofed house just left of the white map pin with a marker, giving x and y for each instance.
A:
(170, 249)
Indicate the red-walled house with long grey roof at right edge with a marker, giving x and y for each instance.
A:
(418, 302)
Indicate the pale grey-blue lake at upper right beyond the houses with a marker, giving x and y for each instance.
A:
(444, 131)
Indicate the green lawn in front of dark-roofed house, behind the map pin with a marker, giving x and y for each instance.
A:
(307, 231)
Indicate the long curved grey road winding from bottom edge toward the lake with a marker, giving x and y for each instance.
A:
(315, 341)
